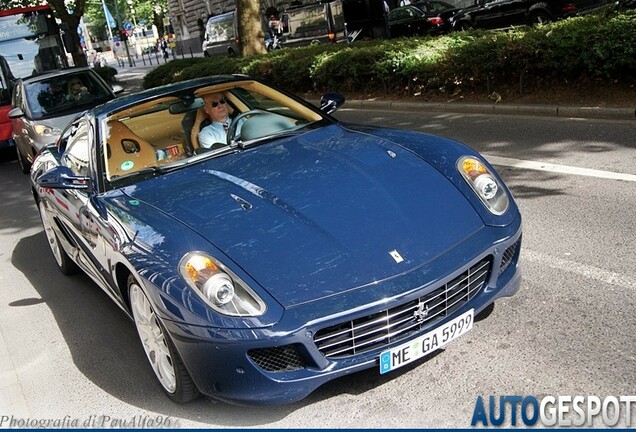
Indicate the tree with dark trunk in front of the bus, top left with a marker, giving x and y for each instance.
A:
(69, 13)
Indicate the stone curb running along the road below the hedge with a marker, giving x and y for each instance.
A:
(611, 113)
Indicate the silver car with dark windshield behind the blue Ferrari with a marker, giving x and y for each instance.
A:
(43, 105)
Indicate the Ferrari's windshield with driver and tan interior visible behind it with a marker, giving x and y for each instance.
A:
(176, 130)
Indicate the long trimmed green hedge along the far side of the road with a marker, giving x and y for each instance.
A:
(598, 46)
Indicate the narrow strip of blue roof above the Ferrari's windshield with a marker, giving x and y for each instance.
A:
(135, 98)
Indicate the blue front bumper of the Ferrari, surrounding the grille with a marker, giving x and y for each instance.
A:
(228, 364)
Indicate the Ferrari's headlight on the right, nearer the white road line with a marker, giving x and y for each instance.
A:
(484, 183)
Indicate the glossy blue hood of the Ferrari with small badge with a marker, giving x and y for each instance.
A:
(318, 214)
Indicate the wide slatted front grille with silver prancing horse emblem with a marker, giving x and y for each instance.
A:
(391, 325)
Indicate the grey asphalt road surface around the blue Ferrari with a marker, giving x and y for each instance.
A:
(68, 354)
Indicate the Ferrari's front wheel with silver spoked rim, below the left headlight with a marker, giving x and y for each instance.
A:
(164, 359)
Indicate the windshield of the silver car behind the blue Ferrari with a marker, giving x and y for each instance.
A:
(64, 94)
